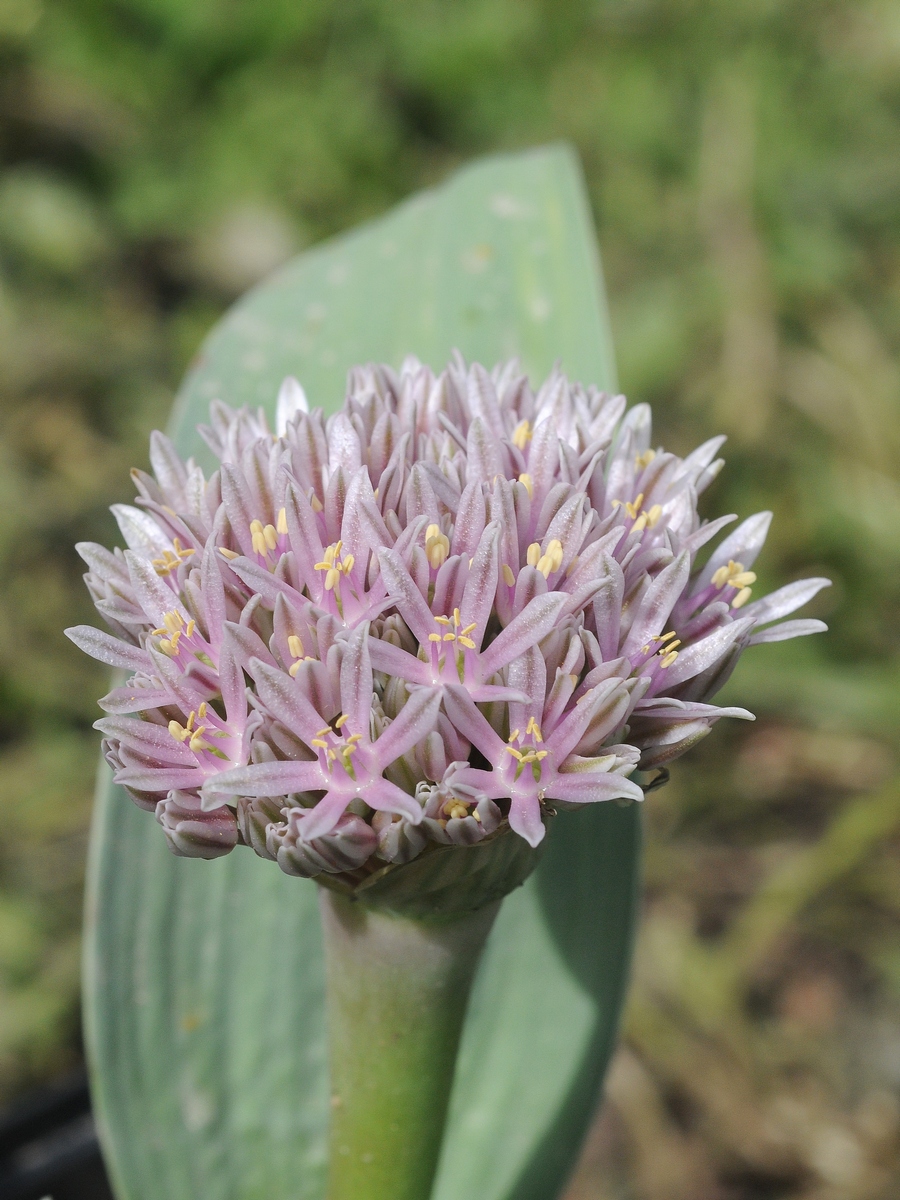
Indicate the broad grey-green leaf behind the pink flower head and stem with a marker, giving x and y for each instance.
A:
(205, 985)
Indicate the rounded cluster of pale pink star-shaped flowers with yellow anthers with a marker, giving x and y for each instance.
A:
(433, 619)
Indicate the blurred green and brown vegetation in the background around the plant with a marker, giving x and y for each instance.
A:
(743, 158)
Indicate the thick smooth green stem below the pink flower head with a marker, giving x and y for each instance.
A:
(398, 991)
